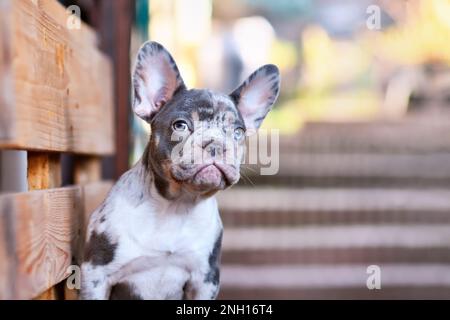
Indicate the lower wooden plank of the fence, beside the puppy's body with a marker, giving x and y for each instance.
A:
(45, 230)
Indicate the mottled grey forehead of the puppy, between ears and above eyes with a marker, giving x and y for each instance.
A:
(200, 106)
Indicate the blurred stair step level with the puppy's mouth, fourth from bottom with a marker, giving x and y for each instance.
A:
(357, 169)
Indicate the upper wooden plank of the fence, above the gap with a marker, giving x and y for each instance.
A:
(59, 88)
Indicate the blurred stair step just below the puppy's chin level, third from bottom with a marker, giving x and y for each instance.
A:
(270, 207)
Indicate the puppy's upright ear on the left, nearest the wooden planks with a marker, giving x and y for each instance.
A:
(155, 80)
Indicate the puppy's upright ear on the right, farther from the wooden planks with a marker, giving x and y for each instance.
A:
(256, 96)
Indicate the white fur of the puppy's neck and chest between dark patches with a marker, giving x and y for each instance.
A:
(155, 240)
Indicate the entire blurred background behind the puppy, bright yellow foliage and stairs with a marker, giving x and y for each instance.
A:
(364, 174)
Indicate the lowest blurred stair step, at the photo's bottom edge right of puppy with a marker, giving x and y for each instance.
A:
(398, 281)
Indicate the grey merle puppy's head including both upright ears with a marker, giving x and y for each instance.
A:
(197, 141)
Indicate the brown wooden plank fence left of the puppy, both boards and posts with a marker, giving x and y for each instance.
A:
(56, 97)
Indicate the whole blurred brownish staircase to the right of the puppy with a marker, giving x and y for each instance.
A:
(347, 196)
